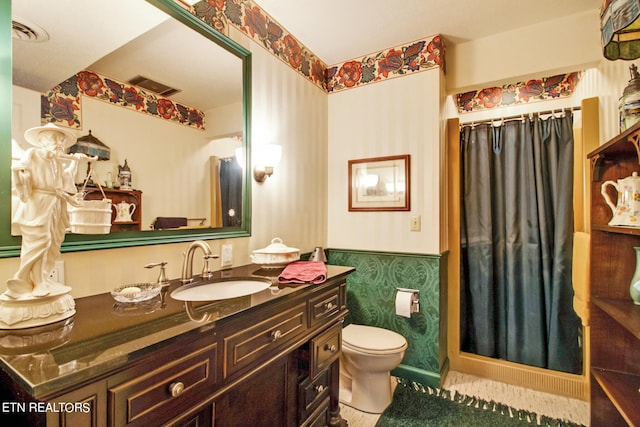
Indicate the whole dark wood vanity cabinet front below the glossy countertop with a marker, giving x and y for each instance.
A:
(275, 363)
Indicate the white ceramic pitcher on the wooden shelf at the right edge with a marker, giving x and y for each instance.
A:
(627, 211)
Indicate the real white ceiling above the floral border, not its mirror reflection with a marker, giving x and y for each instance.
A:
(339, 30)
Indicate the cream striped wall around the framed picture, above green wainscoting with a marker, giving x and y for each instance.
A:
(397, 116)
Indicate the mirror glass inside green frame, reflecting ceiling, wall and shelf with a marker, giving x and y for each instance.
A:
(164, 102)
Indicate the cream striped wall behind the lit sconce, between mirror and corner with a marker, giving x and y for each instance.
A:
(289, 110)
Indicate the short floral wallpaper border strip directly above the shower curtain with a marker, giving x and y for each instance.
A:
(534, 90)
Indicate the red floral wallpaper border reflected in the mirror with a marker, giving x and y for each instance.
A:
(62, 105)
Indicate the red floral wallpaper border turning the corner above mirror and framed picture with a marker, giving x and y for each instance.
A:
(259, 26)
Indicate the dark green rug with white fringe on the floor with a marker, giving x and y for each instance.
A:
(416, 405)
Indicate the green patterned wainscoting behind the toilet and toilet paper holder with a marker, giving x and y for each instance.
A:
(371, 291)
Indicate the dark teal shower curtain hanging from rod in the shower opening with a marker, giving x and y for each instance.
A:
(517, 243)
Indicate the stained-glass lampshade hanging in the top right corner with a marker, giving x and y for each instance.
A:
(620, 29)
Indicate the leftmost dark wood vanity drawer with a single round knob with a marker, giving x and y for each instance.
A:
(154, 397)
